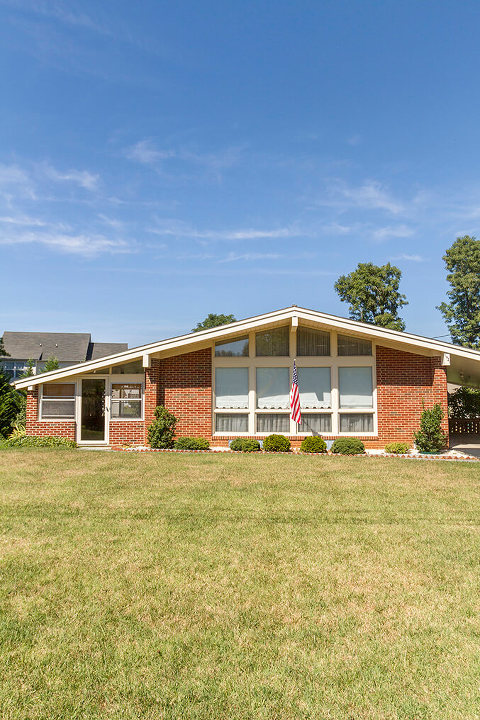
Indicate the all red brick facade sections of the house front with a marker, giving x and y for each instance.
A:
(183, 384)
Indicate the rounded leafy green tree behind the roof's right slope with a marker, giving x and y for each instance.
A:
(372, 291)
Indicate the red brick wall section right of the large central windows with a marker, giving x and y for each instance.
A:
(404, 382)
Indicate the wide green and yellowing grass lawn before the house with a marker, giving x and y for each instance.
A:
(224, 586)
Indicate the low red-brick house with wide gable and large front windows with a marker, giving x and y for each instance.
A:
(355, 379)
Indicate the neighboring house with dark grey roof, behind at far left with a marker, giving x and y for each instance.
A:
(68, 348)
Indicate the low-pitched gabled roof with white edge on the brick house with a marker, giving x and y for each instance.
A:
(465, 360)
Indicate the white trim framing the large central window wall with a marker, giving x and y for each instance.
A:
(333, 361)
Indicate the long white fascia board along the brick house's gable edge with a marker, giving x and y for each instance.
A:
(204, 337)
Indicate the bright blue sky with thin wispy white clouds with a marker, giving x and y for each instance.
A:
(163, 160)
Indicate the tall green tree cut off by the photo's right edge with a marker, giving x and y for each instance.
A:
(462, 313)
